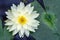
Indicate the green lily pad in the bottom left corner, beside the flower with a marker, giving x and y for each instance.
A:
(4, 34)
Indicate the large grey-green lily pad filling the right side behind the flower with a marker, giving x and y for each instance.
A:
(43, 32)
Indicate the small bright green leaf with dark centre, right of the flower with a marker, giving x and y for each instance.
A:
(49, 19)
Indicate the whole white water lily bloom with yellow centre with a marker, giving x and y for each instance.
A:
(21, 19)
